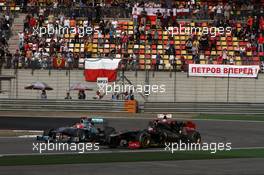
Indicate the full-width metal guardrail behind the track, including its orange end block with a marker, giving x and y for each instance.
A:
(129, 106)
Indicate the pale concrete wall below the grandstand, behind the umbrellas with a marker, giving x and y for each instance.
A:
(180, 89)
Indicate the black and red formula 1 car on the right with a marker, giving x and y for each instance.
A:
(158, 133)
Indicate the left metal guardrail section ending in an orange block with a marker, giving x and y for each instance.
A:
(67, 105)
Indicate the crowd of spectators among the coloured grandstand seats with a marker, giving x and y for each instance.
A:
(33, 52)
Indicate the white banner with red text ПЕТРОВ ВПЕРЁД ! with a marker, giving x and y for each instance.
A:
(211, 70)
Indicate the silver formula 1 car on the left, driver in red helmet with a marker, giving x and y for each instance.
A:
(84, 131)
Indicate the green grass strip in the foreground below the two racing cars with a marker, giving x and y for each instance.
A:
(127, 157)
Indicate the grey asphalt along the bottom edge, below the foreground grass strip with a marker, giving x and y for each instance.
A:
(187, 167)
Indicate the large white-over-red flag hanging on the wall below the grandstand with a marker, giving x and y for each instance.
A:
(95, 68)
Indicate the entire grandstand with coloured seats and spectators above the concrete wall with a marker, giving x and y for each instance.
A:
(141, 45)
